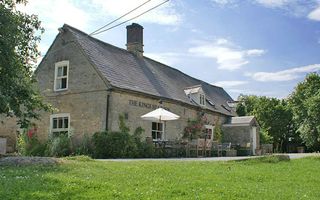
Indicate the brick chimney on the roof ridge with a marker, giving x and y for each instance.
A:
(135, 39)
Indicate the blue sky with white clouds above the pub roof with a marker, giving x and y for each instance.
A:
(251, 47)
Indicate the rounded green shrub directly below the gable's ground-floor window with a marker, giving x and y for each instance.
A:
(59, 146)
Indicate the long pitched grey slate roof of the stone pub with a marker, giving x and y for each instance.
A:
(123, 69)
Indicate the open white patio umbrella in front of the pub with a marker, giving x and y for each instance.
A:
(160, 115)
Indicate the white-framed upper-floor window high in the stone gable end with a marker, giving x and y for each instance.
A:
(61, 75)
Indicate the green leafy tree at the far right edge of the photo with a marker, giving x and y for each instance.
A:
(305, 104)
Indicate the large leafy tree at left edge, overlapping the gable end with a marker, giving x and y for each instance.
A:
(19, 38)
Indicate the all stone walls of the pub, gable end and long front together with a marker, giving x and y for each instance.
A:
(86, 99)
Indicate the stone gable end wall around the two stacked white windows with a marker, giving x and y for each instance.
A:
(86, 97)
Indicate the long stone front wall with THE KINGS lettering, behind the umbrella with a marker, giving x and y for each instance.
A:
(137, 105)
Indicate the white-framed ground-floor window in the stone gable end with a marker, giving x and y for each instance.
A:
(60, 124)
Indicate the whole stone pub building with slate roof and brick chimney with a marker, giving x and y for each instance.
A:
(91, 82)
